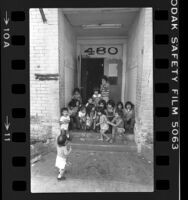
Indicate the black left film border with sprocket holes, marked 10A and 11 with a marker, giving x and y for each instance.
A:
(15, 136)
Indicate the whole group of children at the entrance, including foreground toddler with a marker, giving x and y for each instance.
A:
(99, 114)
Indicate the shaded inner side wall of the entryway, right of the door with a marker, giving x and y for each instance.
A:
(135, 45)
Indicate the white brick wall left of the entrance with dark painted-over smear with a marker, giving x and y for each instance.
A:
(44, 68)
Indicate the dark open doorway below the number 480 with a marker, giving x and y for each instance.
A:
(92, 70)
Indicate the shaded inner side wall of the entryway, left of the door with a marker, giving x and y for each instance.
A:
(67, 59)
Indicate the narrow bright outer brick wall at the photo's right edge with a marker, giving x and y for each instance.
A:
(146, 104)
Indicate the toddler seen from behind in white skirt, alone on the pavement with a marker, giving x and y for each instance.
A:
(62, 153)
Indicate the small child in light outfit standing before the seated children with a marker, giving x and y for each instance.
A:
(103, 124)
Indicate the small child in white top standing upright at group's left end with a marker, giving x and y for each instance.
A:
(64, 121)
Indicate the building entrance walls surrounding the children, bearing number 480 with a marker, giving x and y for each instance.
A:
(56, 53)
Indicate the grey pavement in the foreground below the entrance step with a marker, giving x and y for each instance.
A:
(94, 170)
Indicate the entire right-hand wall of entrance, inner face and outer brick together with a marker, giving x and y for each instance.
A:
(139, 71)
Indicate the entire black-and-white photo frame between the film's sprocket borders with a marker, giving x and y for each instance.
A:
(91, 100)
